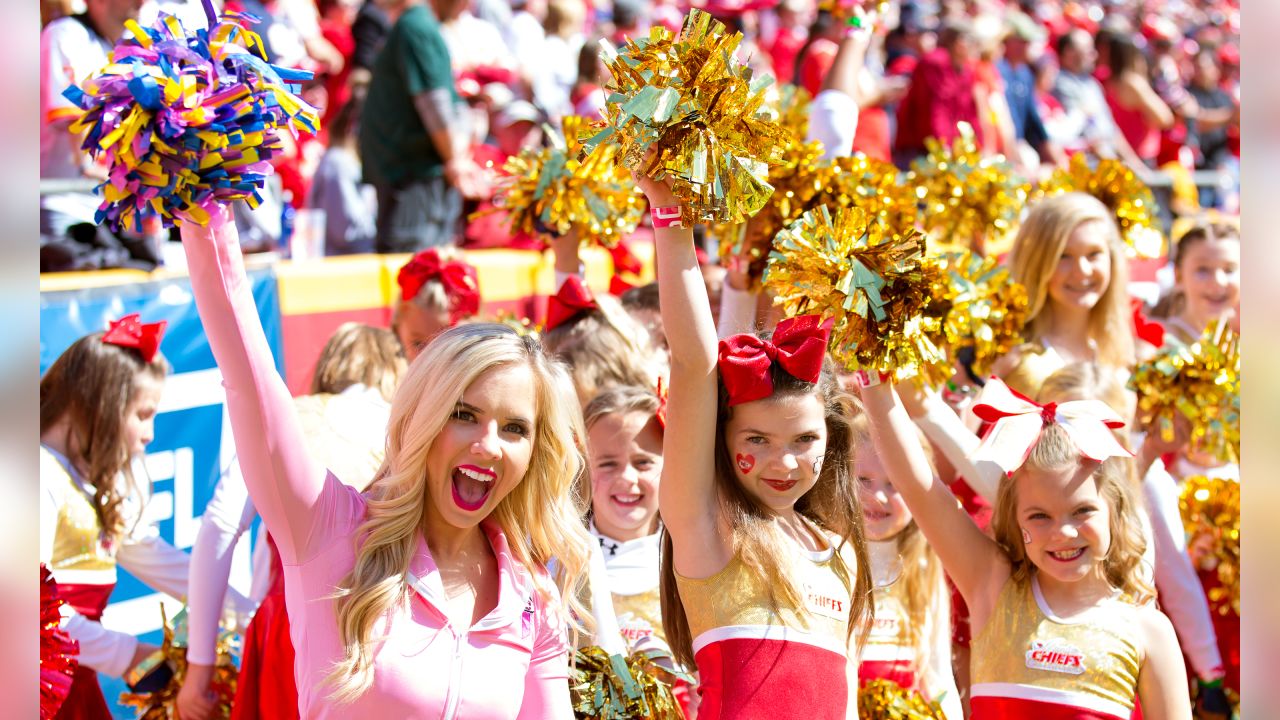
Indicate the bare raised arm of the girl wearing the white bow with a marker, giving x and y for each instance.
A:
(973, 560)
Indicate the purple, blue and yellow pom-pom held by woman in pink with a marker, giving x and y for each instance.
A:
(185, 121)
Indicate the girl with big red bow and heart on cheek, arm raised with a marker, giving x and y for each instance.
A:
(765, 569)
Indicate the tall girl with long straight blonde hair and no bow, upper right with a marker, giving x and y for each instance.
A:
(1069, 257)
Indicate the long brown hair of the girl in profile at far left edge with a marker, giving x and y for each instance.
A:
(92, 385)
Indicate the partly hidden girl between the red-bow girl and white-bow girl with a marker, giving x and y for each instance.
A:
(911, 639)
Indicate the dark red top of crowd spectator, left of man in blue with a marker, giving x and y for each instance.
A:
(940, 97)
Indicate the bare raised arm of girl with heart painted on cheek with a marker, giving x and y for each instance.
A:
(688, 496)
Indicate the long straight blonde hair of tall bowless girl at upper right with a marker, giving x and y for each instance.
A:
(1037, 249)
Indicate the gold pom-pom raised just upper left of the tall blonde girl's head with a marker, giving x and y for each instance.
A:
(971, 200)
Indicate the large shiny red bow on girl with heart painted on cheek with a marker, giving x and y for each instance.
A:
(799, 345)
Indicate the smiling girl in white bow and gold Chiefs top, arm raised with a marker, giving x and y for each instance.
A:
(1058, 610)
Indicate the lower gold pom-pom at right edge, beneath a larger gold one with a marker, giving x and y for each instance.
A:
(1212, 512)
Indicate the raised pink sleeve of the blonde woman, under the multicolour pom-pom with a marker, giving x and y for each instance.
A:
(284, 481)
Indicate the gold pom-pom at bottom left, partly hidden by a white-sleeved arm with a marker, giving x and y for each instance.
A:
(163, 704)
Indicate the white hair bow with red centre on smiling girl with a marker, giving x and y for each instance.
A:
(1021, 421)
